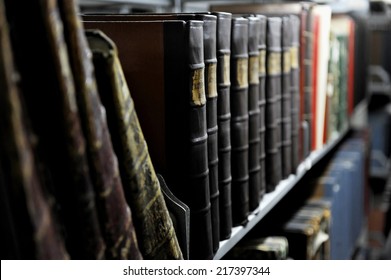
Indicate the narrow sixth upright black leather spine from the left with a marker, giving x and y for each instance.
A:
(262, 100)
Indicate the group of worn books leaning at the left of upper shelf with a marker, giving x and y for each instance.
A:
(76, 178)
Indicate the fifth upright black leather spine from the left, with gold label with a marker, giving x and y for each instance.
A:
(254, 30)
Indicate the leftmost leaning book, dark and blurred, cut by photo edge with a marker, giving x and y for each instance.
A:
(31, 230)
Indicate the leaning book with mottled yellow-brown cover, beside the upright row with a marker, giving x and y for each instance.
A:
(154, 227)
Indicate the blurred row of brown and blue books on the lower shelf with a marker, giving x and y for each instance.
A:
(331, 217)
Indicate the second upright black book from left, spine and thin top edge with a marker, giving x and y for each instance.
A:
(209, 37)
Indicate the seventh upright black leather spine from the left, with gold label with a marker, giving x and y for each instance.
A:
(273, 92)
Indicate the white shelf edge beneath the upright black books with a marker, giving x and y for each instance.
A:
(269, 200)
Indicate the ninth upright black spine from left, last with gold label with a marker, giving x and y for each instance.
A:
(294, 89)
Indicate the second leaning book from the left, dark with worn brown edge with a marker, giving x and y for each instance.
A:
(60, 145)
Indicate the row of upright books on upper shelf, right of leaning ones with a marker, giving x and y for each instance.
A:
(239, 97)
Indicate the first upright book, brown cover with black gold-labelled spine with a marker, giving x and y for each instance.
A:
(171, 110)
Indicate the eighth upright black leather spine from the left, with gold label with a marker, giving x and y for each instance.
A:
(286, 103)
